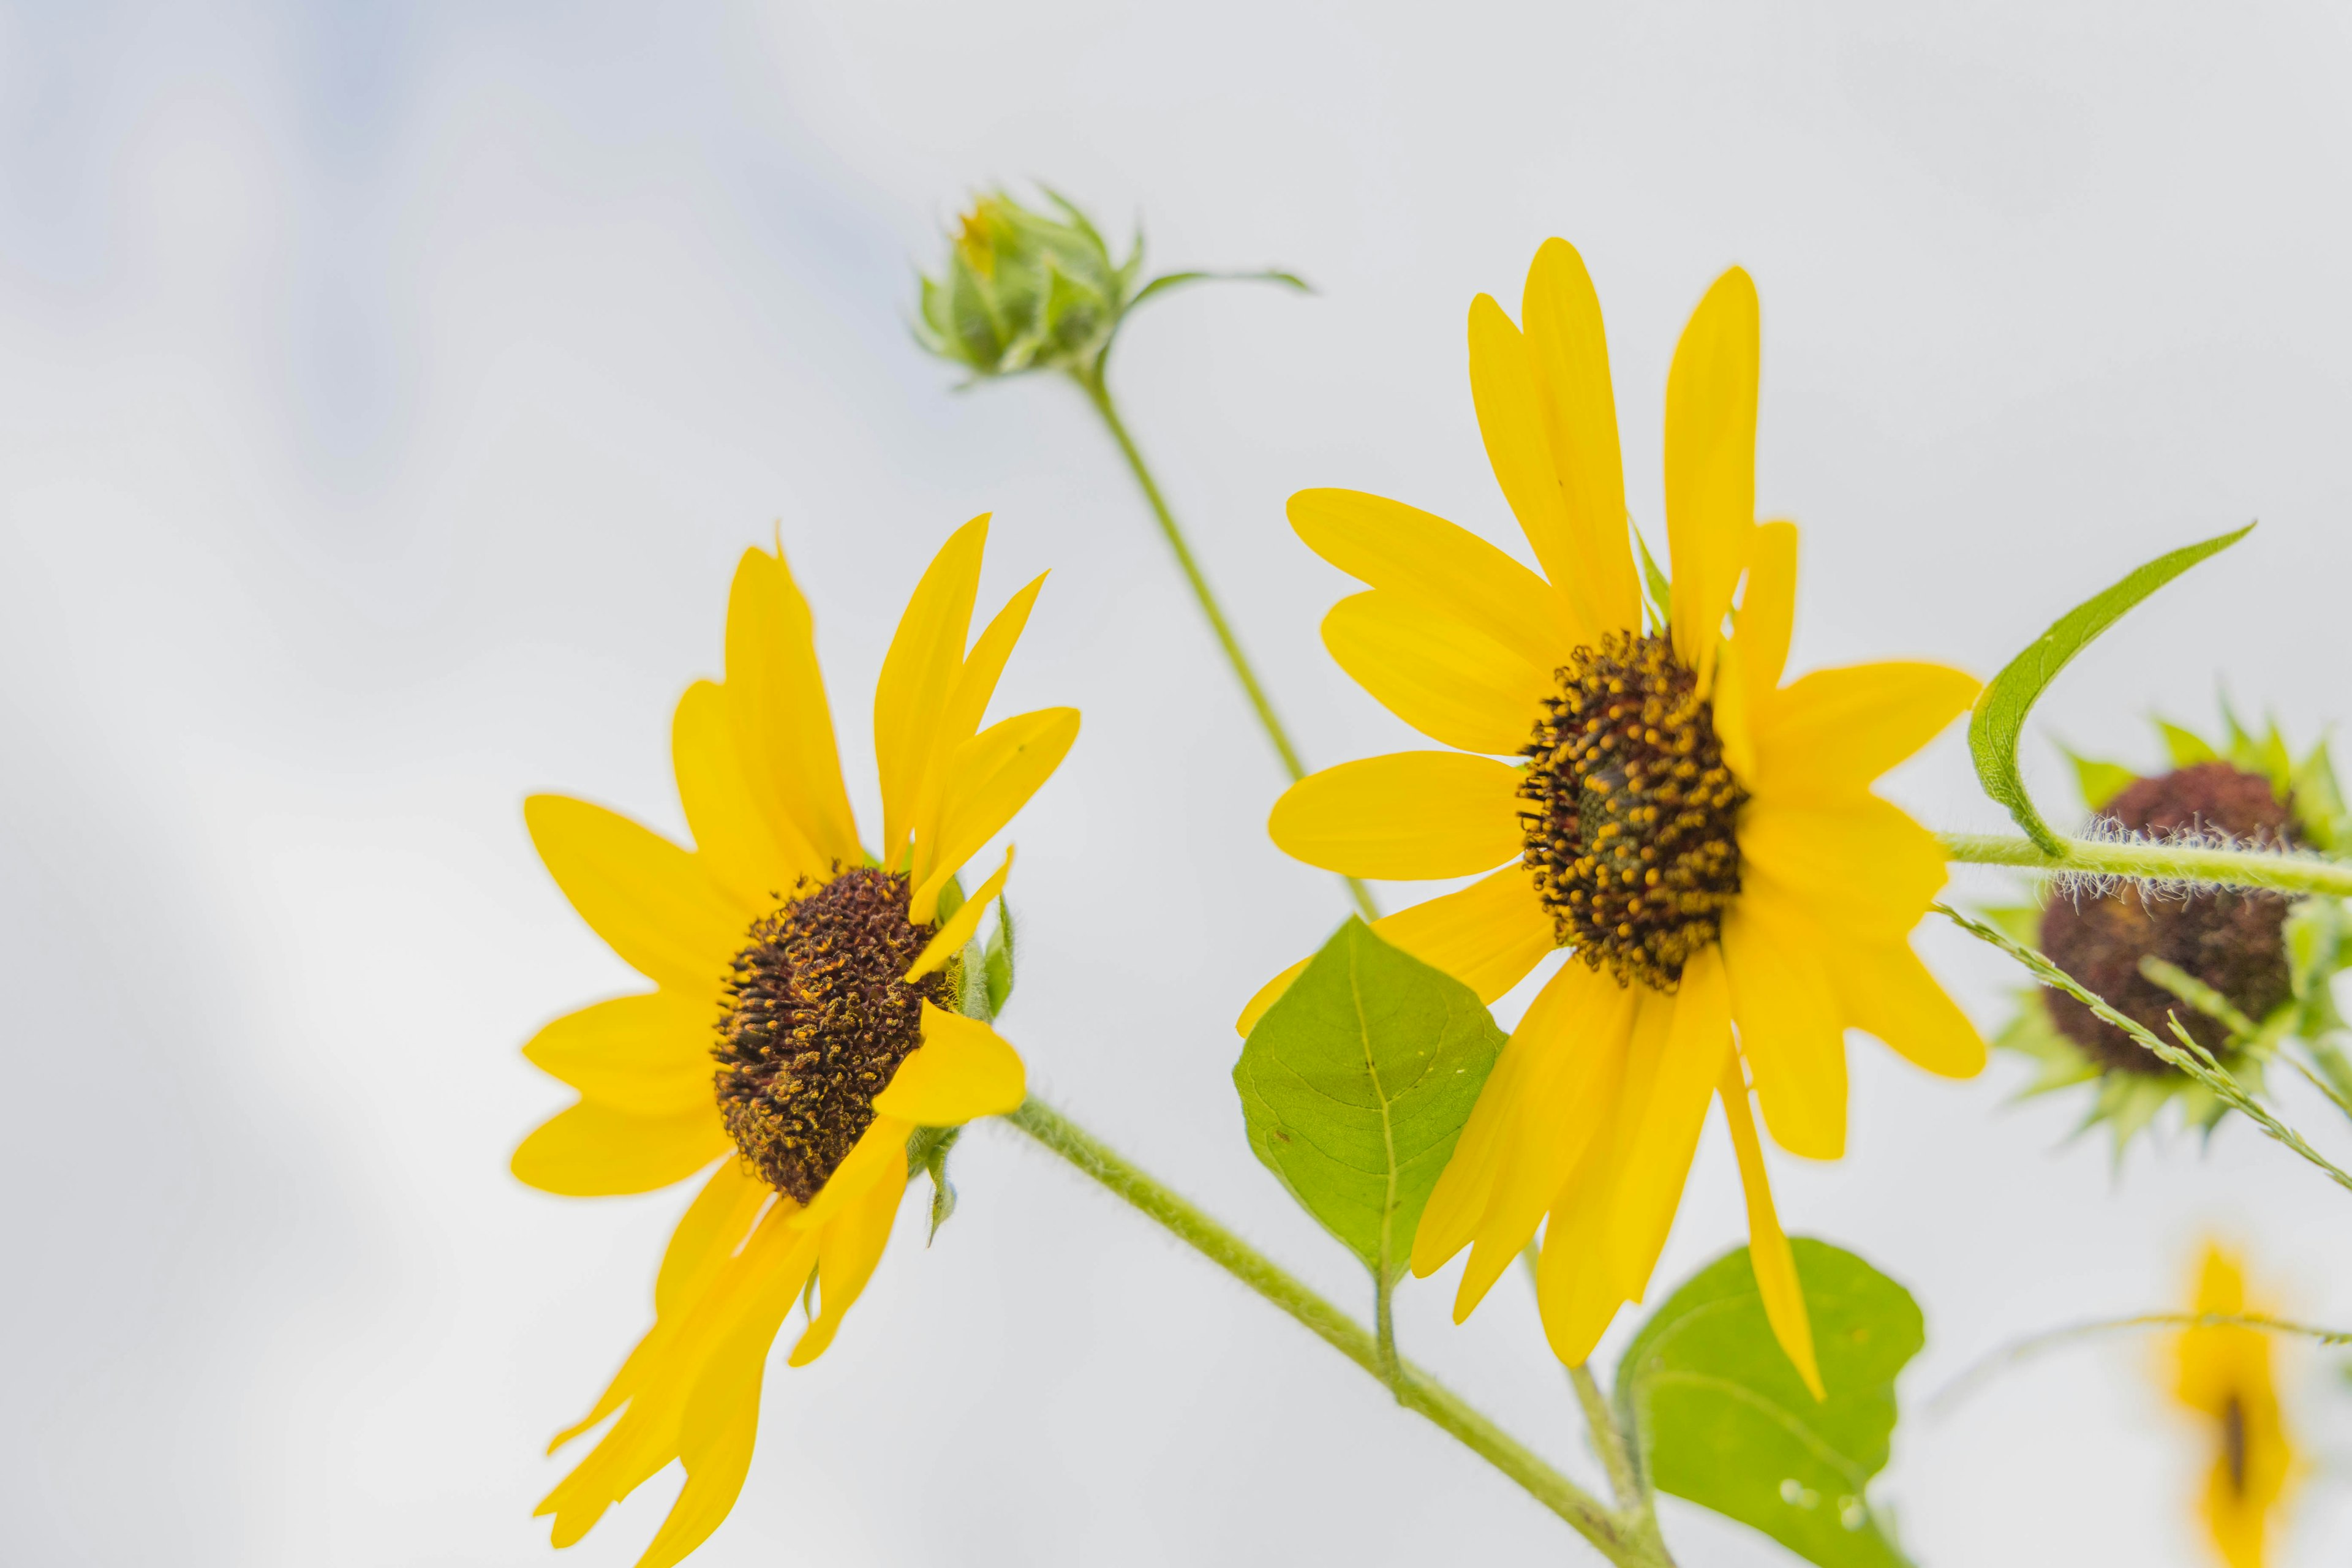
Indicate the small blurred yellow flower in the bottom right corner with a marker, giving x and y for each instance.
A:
(2224, 1374)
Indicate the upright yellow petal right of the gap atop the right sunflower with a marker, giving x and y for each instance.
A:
(1711, 464)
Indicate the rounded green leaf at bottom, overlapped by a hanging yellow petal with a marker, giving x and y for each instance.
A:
(1723, 1419)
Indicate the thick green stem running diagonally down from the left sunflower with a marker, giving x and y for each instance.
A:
(1612, 1534)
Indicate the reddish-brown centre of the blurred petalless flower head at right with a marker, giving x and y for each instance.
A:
(2231, 942)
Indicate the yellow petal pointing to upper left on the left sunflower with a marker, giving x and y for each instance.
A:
(636, 890)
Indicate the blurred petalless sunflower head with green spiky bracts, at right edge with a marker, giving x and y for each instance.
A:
(2243, 972)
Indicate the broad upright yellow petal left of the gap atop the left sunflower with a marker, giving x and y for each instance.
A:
(780, 716)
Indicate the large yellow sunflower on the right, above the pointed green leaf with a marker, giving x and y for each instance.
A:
(1695, 831)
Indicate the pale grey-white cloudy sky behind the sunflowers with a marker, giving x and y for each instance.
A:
(392, 389)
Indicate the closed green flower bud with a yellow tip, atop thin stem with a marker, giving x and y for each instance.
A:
(1024, 290)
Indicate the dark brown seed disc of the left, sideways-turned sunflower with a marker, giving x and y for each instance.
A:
(815, 1021)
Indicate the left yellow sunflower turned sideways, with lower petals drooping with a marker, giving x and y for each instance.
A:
(808, 1012)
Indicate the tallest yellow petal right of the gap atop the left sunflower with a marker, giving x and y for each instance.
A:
(918, 678)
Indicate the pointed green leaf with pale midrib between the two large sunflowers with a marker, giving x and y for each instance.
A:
(1356, 1087)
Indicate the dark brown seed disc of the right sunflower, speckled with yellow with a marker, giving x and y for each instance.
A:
(1631, 812)
